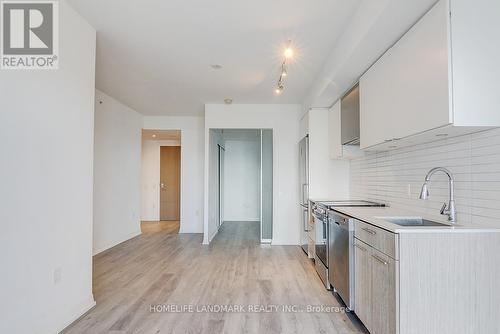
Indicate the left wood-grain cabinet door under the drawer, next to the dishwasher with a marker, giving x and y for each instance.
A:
(362, 283)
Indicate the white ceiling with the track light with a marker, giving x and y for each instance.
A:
(155, 55)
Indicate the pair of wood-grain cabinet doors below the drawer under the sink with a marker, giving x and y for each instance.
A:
(375, 289)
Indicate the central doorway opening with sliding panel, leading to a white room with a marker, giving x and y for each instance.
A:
(241, 182)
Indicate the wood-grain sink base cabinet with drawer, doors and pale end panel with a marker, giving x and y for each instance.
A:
(428, 281)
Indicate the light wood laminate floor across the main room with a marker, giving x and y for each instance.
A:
(175, 269)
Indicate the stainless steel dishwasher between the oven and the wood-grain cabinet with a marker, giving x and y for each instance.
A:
(341, 256)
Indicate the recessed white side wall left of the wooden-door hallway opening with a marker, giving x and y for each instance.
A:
(117, 172)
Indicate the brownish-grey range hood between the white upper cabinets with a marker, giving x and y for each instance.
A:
(350, 117)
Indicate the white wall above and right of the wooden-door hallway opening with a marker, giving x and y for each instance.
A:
(191, 166)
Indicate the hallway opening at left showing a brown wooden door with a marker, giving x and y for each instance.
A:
(161, 181)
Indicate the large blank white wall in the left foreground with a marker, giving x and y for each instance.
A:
(46, 148)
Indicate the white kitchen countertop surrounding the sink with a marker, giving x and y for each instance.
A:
(370, 215)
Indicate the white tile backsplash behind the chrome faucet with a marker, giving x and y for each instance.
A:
(396, 177)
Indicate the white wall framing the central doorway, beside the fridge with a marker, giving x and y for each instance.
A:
(284, 120)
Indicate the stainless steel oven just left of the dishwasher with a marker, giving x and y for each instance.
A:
(320, 216)
